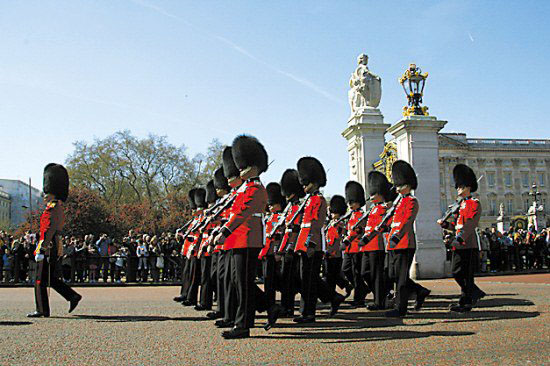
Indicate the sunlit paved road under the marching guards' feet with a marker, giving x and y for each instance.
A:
(142, 326)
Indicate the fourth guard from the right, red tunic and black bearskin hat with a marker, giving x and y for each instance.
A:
(351, 266)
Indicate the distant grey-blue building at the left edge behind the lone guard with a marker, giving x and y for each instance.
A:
(18, 192)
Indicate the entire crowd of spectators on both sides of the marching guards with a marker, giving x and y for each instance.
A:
(144, 258)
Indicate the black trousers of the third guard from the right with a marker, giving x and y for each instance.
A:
(372, 270)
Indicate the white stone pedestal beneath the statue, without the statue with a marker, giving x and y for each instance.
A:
(365, 135)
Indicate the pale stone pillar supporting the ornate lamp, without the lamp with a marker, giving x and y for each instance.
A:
(416, 138)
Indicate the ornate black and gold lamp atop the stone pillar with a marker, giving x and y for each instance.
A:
(413, 81)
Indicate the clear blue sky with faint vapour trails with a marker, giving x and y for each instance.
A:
(196, 70)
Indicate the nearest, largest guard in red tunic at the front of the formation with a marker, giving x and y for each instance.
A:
(245, 228)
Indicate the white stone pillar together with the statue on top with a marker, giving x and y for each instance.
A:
(366, 128)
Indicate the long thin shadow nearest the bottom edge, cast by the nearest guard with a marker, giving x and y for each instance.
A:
(364, 335)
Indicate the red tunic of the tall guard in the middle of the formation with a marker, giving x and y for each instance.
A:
(315, 213)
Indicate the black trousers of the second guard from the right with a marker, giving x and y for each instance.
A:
(400, 264)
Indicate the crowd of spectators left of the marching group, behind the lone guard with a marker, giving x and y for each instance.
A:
(134, 258)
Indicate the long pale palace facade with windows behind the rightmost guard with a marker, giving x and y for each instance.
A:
(508, 169)
